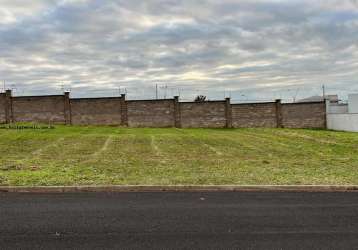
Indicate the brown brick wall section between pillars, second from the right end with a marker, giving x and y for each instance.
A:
(254, 115)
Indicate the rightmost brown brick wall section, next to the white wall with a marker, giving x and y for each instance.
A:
(304, 115)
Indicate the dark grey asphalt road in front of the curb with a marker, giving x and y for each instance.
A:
(179, 221)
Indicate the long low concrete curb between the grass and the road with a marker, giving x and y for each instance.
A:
(180, 188)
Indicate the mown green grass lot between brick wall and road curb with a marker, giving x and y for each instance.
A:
(108, 155)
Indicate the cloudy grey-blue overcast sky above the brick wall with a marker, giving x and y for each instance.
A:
(249, 49)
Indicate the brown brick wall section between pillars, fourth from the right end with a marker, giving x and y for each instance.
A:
(151, 113)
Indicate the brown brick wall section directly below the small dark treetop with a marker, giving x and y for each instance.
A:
(203, 114)
